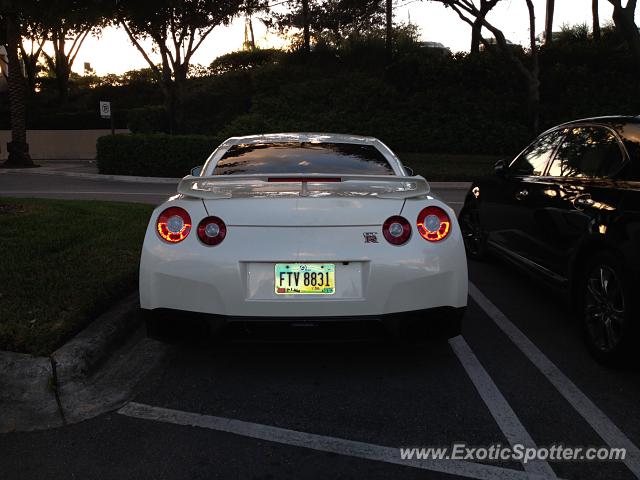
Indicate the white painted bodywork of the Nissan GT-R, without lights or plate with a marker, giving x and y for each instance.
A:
(236, 277)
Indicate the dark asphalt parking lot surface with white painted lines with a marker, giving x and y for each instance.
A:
(245, 406)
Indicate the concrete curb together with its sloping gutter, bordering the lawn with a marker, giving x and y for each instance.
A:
(34, 390)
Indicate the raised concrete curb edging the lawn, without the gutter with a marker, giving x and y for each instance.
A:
(29, 396)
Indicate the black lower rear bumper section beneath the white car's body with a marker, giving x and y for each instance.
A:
(441, 320)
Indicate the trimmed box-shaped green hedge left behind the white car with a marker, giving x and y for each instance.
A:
(154, 155)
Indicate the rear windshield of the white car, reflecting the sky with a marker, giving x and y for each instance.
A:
(296, 157)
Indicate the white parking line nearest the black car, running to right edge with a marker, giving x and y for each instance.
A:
(596, 418)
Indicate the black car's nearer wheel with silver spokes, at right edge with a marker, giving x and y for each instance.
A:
(607, 309)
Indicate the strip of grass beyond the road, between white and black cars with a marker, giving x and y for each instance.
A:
(450, 168)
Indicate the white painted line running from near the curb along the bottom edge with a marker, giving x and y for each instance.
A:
(321, 443)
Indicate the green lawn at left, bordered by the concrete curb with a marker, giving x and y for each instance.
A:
(62, 264)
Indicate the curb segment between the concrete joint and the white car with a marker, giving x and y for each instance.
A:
(81, 355)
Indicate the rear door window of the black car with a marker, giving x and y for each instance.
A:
(587, 152)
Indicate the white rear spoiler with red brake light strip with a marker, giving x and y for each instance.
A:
(303, 185)
